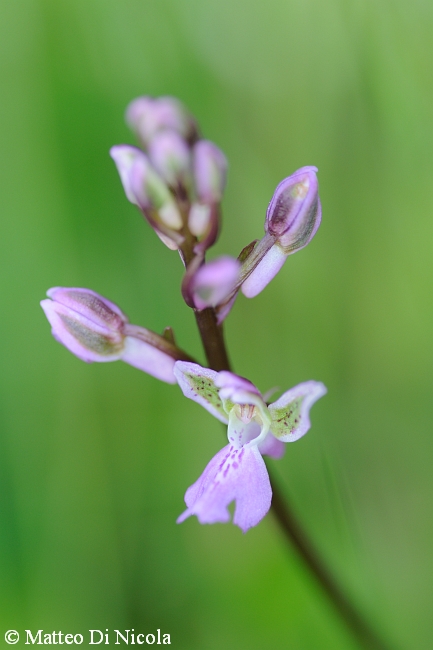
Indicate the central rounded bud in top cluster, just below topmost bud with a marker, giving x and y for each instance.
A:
(170, 156)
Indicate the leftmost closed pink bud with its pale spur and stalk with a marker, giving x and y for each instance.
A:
(95, 329)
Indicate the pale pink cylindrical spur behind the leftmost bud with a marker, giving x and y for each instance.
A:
(146, 357)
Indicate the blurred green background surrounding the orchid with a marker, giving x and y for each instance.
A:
(95, 459)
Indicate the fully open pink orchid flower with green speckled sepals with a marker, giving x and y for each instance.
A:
(238, 472)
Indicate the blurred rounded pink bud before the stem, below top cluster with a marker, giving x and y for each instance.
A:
(213, 282)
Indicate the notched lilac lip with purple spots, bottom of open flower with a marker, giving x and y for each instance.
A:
(232, 475)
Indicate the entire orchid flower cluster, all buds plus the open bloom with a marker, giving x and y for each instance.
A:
(177, 181)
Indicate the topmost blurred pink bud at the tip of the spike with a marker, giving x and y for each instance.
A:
(146, 116)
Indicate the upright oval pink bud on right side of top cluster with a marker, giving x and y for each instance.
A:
(210, 170)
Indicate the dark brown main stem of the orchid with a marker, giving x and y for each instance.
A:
(213, 342)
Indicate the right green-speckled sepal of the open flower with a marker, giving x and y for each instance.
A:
(290, 413)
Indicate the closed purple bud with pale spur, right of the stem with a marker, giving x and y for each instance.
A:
(292, 219)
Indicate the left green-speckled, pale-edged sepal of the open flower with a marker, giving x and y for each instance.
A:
(198, 384)
